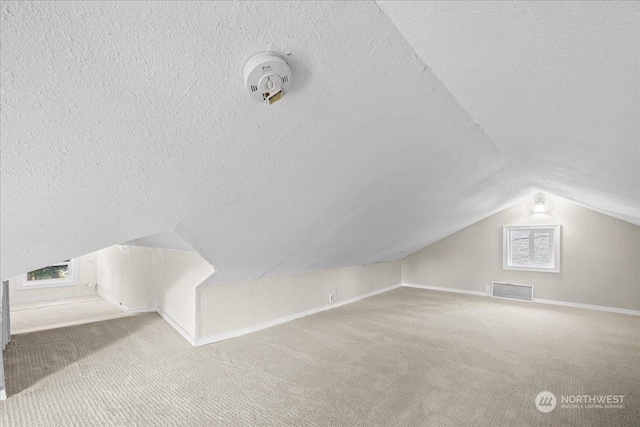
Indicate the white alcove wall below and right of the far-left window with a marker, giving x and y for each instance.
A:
(87, 273)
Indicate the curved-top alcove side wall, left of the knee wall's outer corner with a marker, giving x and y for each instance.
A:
(144, 278)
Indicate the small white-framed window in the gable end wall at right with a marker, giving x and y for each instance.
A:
(531, 248)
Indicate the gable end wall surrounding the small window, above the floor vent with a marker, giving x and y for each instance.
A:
(600, 257)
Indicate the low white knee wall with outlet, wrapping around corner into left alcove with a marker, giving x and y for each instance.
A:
(141, 278)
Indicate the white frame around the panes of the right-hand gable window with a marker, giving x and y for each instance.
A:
(554, 264)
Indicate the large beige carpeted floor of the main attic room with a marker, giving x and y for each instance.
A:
(408, 357)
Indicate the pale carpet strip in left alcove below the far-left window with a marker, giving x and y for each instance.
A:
(57, 313)
